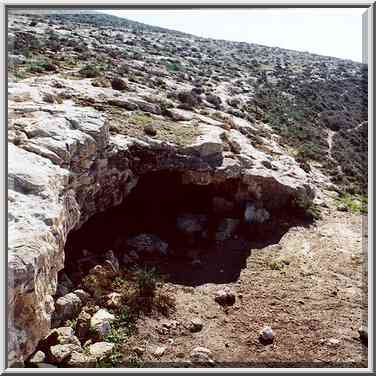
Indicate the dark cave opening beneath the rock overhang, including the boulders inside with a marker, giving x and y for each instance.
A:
(155, 207)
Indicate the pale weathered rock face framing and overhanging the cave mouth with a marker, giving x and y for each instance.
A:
(65, 166)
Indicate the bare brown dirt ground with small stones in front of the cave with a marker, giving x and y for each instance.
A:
(310, 287)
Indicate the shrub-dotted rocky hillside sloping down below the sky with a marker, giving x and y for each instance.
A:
(301, 96)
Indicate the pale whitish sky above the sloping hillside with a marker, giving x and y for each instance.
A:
(332, 32)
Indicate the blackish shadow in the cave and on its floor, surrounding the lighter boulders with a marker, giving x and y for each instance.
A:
(153, 206)
